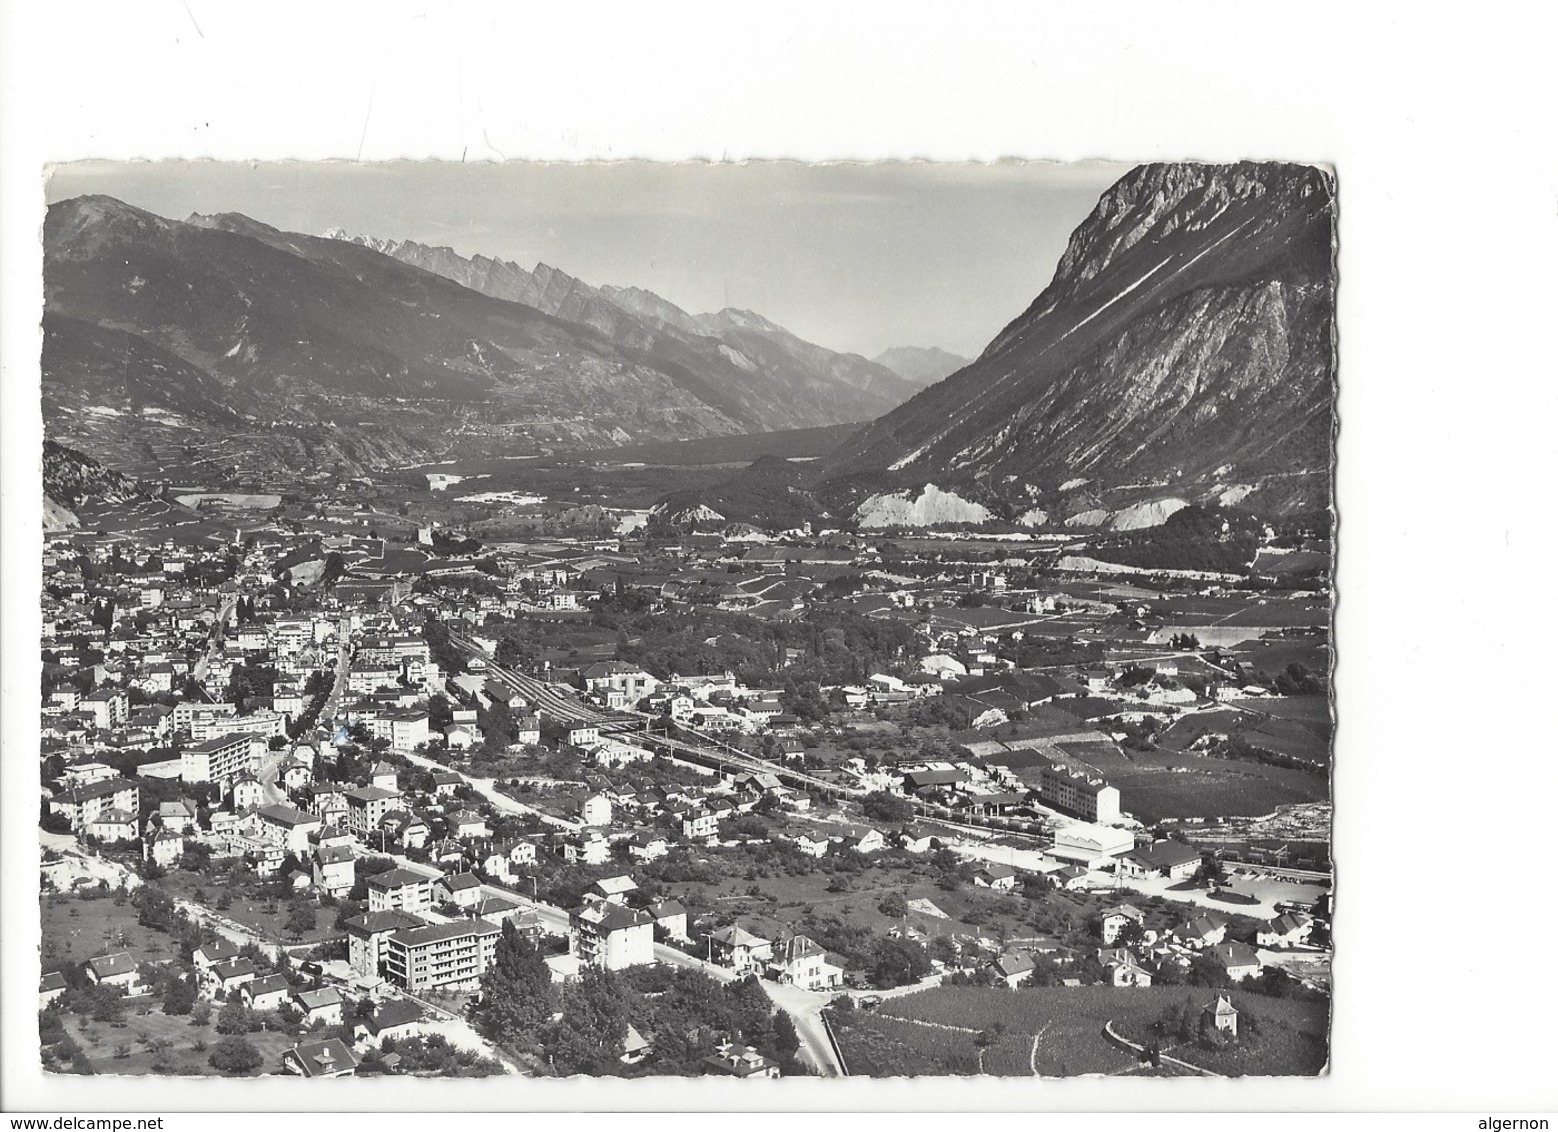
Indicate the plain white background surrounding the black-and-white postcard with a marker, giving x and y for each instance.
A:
(1442, 128)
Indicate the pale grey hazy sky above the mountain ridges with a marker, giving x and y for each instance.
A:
(855, 258)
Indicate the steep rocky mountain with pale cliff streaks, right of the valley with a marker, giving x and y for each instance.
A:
(1185, 342)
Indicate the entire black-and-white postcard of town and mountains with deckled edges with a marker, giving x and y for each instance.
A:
(664, 620)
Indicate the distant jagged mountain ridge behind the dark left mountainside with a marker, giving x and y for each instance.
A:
(739, 364)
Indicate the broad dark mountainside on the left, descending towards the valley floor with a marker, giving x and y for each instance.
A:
(259, 350)
